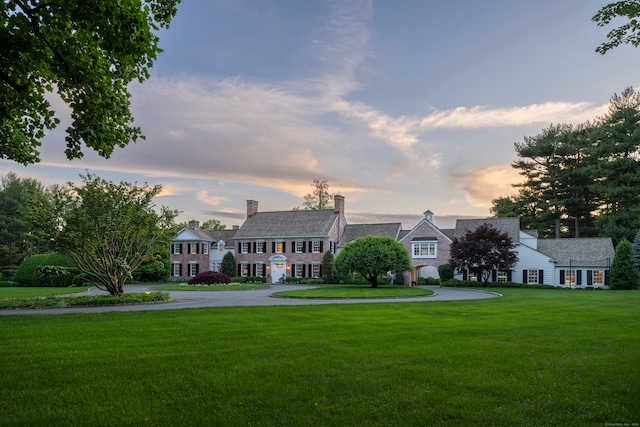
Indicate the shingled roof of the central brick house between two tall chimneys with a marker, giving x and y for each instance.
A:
(288, 224)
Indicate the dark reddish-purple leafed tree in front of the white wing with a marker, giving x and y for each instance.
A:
(481, 251)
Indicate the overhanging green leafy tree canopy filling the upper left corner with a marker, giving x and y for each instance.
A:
(86, 50)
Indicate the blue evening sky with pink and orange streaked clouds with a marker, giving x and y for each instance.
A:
(401, 106)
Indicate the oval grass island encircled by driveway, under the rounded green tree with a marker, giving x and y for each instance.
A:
(356, 291)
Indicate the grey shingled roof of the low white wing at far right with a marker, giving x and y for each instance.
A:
(578, 252)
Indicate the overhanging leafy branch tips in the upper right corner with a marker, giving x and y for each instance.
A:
(626, 33)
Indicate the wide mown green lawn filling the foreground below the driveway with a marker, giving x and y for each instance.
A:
(530, 358)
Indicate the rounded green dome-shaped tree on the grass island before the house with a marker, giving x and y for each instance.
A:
(372, 257)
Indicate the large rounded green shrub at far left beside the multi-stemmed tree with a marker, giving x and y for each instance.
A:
(50, 269)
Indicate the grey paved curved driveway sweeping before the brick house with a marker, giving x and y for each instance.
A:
(256, 297)
